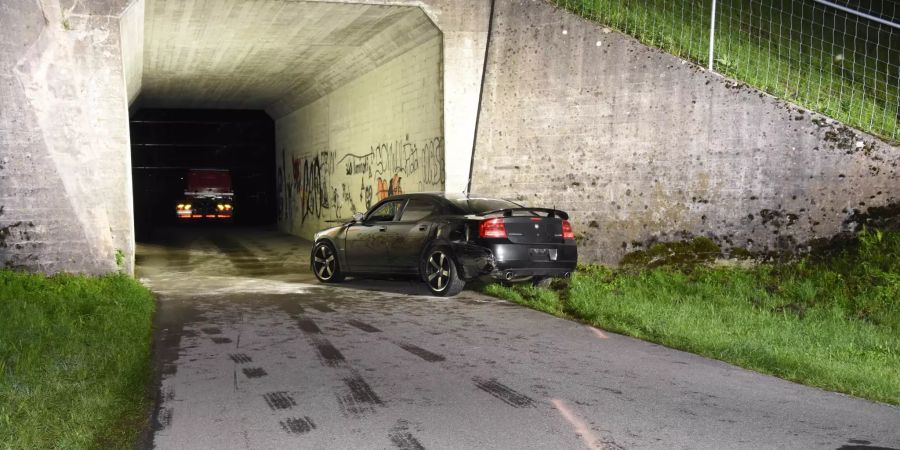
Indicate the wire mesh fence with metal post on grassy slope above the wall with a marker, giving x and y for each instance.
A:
(837, 57)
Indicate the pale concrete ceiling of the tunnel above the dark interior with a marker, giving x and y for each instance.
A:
(272, 55)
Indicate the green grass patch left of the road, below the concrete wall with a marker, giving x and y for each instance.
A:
(74, 360)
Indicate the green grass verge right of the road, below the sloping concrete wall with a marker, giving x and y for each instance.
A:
(830, 321)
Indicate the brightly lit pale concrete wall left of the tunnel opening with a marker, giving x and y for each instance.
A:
(65, 187)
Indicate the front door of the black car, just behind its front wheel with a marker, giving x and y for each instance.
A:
(369, 244)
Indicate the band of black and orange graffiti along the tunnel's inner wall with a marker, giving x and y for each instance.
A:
(320, 185)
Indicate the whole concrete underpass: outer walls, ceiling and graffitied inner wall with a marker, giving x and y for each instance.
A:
(372, 97)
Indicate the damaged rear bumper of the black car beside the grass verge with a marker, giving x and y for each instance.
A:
(505, 261)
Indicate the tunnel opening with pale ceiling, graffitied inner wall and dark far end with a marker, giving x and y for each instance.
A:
(316, 109)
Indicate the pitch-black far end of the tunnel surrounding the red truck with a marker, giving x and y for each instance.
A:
(167, 145)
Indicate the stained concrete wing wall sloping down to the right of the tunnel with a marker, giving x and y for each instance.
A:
(641, 146)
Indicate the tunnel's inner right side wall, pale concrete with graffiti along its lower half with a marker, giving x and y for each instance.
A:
(379, 134)
